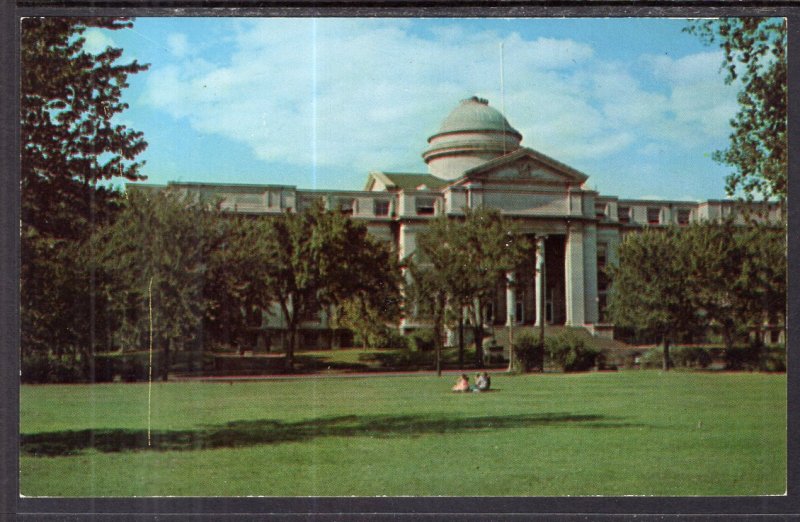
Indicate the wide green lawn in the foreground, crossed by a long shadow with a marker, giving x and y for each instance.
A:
(622, 433)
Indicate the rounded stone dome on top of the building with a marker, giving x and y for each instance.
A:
(472, 134)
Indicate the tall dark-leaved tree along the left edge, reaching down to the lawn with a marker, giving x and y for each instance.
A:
(70, 143)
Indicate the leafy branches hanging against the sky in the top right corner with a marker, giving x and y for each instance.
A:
(755, 55)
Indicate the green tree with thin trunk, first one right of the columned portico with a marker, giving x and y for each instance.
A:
(649, 287)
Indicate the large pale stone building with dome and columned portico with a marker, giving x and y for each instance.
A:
(476, 159)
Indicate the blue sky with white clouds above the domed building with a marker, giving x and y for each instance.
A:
(636, 104)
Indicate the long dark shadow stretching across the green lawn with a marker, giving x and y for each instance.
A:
(254, 432)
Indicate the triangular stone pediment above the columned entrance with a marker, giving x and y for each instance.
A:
(526, 166)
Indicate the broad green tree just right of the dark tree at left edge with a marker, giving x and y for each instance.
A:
(155, 257)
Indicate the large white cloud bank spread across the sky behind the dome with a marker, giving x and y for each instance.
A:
(365, 94)
